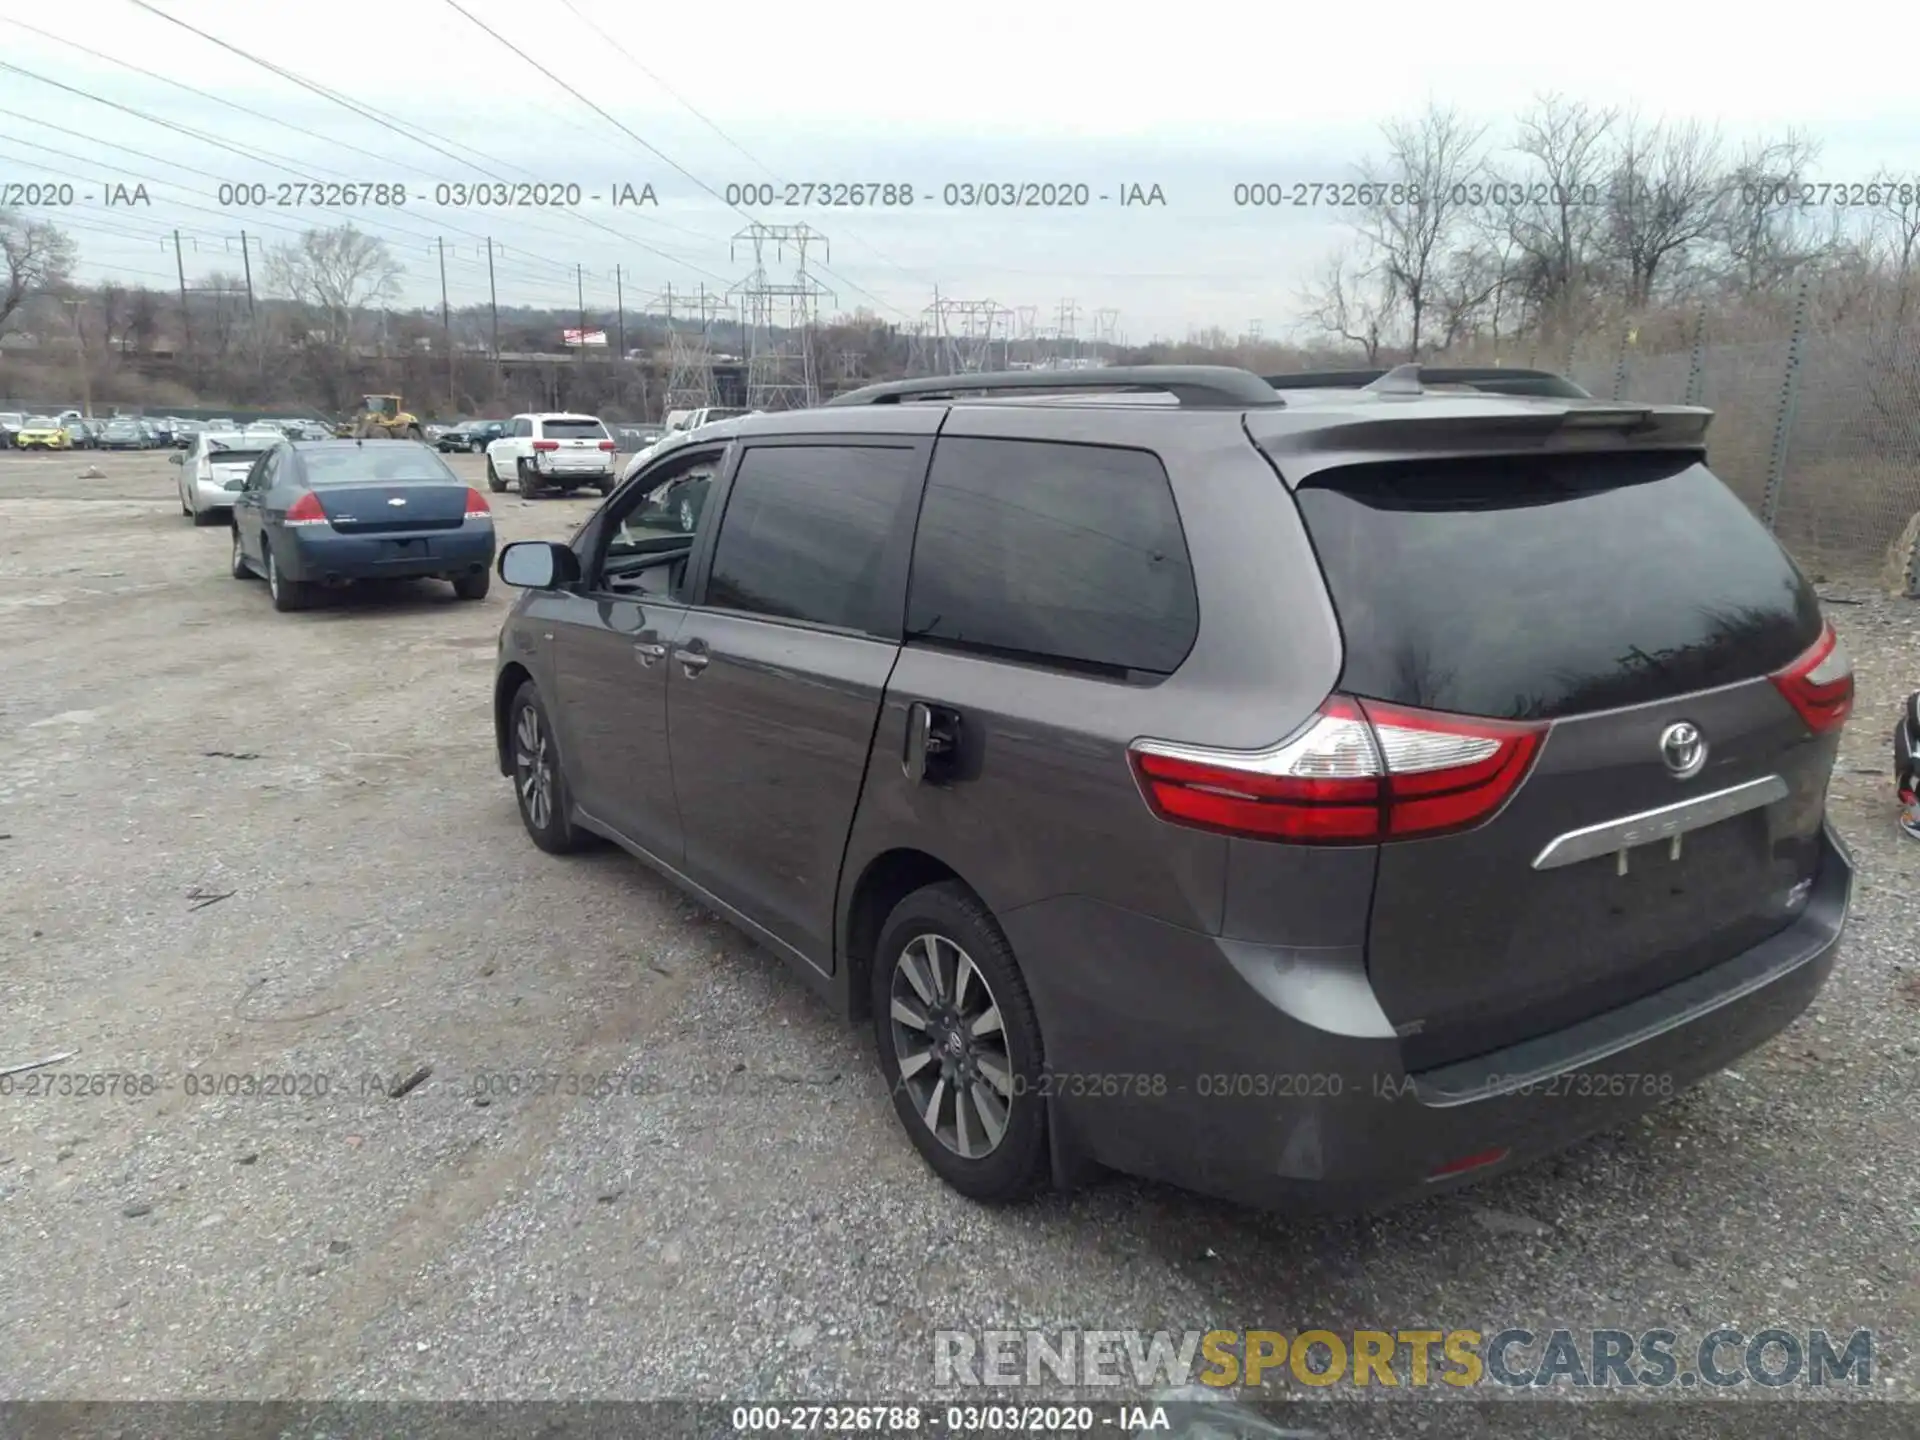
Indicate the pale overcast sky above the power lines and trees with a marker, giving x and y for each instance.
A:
(1188, 99)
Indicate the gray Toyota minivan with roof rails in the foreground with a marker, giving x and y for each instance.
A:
(1310, 794)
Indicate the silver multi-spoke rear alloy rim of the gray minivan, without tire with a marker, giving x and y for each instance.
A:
(948, 1036)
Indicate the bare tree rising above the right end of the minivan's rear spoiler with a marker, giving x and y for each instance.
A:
(1662, 199)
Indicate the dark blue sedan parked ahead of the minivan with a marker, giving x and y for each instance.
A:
(325, 514)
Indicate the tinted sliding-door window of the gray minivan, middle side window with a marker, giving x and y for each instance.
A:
(807, 529)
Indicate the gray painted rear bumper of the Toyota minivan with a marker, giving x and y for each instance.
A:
(1272, 1078)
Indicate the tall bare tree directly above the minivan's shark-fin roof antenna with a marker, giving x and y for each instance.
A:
(1414, 206)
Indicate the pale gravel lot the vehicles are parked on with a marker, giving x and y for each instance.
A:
(752, 1222)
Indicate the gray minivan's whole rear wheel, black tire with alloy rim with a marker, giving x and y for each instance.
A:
(961, 1047)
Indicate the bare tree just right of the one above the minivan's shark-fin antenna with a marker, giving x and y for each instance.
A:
(1558, 218)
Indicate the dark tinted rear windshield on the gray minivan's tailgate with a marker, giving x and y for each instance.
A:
(1537, 588)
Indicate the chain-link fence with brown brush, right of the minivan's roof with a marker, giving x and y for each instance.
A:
(1819, 431)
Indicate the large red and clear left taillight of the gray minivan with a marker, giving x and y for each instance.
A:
(1358, 775)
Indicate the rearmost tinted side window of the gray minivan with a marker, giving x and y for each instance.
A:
(1067, 554)
